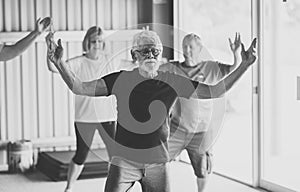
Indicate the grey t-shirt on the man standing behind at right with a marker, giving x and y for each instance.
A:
(195, 115)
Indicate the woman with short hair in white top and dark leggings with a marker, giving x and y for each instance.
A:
(90, 114)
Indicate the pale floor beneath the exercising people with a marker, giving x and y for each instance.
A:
(181, 179)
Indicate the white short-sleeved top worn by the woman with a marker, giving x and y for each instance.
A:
(93, 109)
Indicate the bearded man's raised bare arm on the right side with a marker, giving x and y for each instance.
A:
(215, 91)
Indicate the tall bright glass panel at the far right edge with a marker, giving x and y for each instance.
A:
(280, 95)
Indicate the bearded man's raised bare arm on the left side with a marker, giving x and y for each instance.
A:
(92, 88)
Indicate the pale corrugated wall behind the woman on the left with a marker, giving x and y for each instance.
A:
(34, 103)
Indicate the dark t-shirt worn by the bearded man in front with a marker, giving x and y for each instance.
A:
(143, 106)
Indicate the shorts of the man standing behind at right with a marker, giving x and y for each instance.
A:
(201, 160)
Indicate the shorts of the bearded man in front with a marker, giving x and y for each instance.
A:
(124, 173)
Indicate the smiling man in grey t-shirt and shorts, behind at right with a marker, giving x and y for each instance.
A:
(195, 123)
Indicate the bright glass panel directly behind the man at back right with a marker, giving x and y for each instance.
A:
(215, 21)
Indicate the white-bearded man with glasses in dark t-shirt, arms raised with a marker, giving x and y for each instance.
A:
(144, 98)
